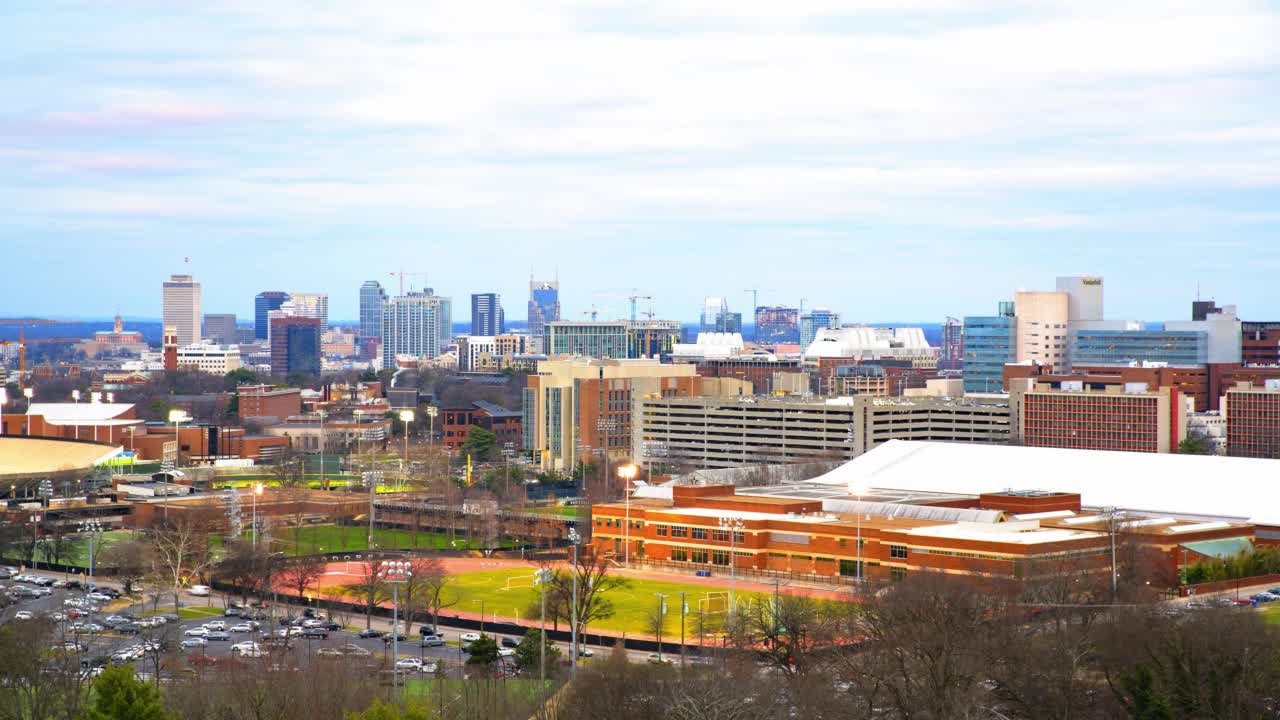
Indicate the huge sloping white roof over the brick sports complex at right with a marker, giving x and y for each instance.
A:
(1191, 485)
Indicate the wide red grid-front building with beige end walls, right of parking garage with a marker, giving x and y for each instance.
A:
(1132, 420)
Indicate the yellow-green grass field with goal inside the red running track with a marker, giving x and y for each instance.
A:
(632, 604)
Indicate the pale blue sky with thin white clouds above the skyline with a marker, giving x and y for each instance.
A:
(890, 160)
